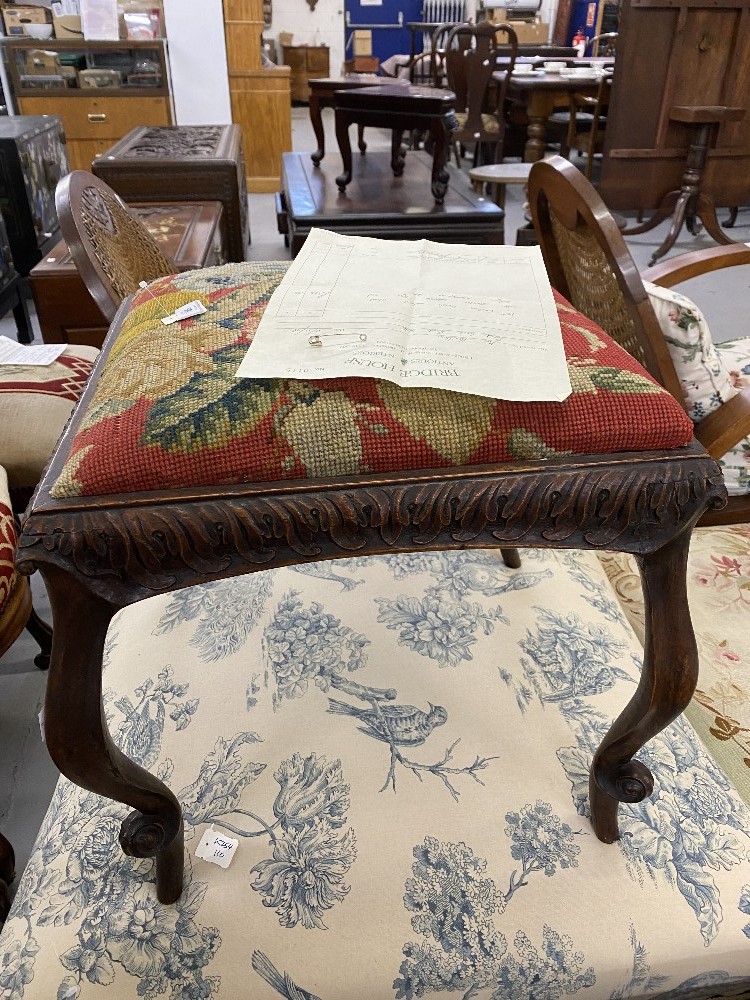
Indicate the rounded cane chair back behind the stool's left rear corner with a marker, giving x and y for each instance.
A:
(112, 250)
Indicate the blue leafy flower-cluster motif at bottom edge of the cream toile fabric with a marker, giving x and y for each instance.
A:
(456, 905)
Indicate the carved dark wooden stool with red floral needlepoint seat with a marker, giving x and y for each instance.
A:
(146, 494)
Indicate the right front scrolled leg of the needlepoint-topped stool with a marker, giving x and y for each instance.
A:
(668, 679)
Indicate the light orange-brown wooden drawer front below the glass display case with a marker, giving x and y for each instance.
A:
(101, 117)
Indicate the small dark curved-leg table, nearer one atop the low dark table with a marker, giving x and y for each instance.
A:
(399, 107)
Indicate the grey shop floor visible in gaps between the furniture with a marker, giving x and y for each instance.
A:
(27, 776)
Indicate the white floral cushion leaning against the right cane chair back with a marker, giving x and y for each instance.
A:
(703, 375)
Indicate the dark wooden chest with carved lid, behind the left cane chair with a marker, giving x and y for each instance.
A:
(184, 163)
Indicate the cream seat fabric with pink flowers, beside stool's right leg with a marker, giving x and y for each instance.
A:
(719, 593)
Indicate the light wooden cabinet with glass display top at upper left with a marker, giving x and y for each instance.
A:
(50, 81)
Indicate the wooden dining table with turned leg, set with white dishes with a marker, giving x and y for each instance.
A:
(541, 93)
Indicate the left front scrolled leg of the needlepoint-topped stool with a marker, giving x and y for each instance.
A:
(79, 742)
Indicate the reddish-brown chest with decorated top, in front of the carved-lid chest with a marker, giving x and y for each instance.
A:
(187, 232)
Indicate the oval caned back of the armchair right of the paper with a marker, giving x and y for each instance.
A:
(588, 262)
